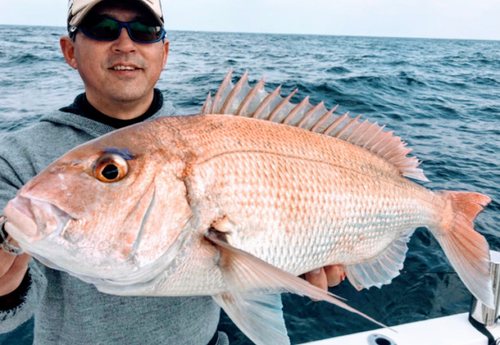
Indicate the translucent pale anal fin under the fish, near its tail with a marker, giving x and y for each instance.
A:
(381, 270)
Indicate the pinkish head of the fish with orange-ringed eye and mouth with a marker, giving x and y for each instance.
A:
(111, 209)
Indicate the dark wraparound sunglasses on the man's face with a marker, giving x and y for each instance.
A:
(109, 29)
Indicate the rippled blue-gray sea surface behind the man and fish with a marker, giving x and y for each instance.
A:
(440, 96)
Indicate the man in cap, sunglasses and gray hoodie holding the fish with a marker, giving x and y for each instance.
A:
(119, 50)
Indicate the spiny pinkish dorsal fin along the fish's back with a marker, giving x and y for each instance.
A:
(242, 100)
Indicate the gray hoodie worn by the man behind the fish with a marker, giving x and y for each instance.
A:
(67, 310)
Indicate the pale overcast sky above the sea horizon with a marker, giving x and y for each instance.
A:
(469, 19)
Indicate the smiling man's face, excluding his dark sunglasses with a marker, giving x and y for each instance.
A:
(118, 71)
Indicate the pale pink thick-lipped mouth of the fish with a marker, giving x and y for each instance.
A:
(31, 219)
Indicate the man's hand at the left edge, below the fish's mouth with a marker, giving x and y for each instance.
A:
(12, 270)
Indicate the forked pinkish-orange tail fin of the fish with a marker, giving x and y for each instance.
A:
(466, 249)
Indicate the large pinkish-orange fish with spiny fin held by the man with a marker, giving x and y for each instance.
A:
(237, 202)
